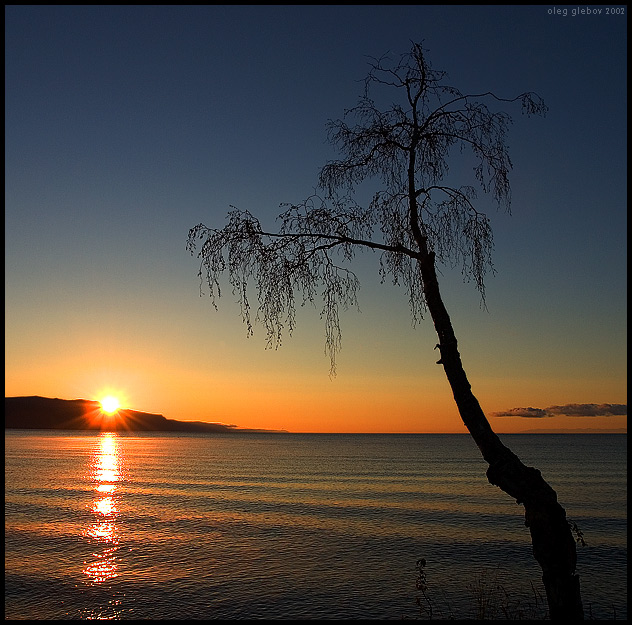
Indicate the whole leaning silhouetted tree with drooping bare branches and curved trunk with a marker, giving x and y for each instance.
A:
(421, 221)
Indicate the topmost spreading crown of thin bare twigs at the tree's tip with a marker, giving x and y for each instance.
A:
(437, 117)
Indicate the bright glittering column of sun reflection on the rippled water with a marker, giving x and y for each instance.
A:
(105, 472)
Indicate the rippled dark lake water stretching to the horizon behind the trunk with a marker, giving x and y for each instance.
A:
(297, 526)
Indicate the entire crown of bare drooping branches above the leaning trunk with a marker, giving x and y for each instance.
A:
(406, 145)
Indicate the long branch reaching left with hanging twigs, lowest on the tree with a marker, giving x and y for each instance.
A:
(297, 258)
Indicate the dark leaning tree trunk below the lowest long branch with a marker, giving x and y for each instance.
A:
(554, 546)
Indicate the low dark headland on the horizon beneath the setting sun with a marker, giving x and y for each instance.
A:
(36, 413)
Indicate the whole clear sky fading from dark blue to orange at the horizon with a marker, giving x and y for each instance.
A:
(126, 126)
